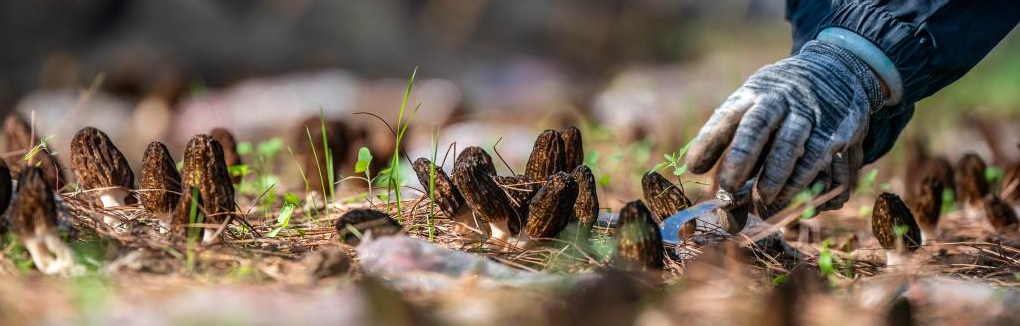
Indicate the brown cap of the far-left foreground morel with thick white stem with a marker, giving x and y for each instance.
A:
(34, 209)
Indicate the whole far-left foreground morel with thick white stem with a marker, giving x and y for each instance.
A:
(34, 221)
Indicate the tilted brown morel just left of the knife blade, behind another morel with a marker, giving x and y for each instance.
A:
(666, 199)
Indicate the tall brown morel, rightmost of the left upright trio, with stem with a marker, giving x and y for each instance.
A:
(206, 170)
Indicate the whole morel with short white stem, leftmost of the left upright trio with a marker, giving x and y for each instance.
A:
(101, 169)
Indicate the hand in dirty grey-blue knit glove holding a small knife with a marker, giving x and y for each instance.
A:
(793, 124)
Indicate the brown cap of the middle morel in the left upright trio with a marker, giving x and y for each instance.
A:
(161, 180)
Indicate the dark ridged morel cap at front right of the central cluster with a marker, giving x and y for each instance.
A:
(552, 207)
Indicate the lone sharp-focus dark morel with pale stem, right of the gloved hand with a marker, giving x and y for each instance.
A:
(894, 227)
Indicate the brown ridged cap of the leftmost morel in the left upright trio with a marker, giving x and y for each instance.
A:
(97, 162)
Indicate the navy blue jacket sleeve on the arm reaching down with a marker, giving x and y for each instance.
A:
(933, 43)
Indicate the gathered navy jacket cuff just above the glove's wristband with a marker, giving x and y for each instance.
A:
(907, 45)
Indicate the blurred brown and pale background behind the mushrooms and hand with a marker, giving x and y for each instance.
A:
(639, 77)
